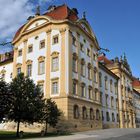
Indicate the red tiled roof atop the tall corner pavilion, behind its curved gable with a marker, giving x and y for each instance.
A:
(59, 13)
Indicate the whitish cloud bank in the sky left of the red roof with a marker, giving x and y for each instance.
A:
(14, 13)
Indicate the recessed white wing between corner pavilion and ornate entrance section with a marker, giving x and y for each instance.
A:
(108, 83)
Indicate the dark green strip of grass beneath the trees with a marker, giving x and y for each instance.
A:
(9, 135)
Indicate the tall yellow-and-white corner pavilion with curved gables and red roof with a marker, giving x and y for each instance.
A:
(58, 51)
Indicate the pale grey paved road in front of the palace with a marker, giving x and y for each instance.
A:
(106, 134)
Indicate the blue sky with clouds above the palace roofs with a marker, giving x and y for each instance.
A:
(116, 23)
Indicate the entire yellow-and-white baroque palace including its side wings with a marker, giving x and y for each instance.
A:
(59, 51)
